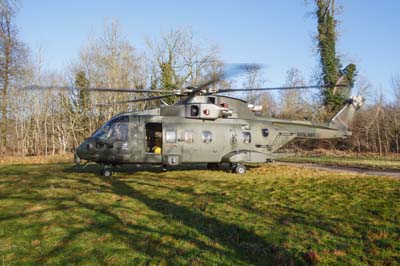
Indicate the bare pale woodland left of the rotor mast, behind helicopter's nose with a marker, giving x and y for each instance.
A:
(57, 115)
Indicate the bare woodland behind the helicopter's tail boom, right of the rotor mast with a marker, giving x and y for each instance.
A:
(376, 126)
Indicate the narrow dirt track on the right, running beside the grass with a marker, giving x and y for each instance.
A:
(374, 172)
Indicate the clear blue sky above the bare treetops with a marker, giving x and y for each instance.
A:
(278, 34)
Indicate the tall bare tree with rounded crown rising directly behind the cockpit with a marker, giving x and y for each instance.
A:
(110, 61)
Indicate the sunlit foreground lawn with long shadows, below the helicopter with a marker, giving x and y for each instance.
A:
(274, 215)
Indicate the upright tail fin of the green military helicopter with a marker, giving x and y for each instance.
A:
(343, 120)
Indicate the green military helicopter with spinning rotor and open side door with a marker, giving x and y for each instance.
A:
(203, 126)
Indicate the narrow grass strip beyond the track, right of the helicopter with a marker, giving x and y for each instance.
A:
(359, 161)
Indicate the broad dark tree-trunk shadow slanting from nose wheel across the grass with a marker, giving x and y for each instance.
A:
(247, 246)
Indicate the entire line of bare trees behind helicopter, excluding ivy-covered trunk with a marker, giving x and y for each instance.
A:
(43, 120)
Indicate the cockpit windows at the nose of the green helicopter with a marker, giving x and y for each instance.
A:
(114, 130)
